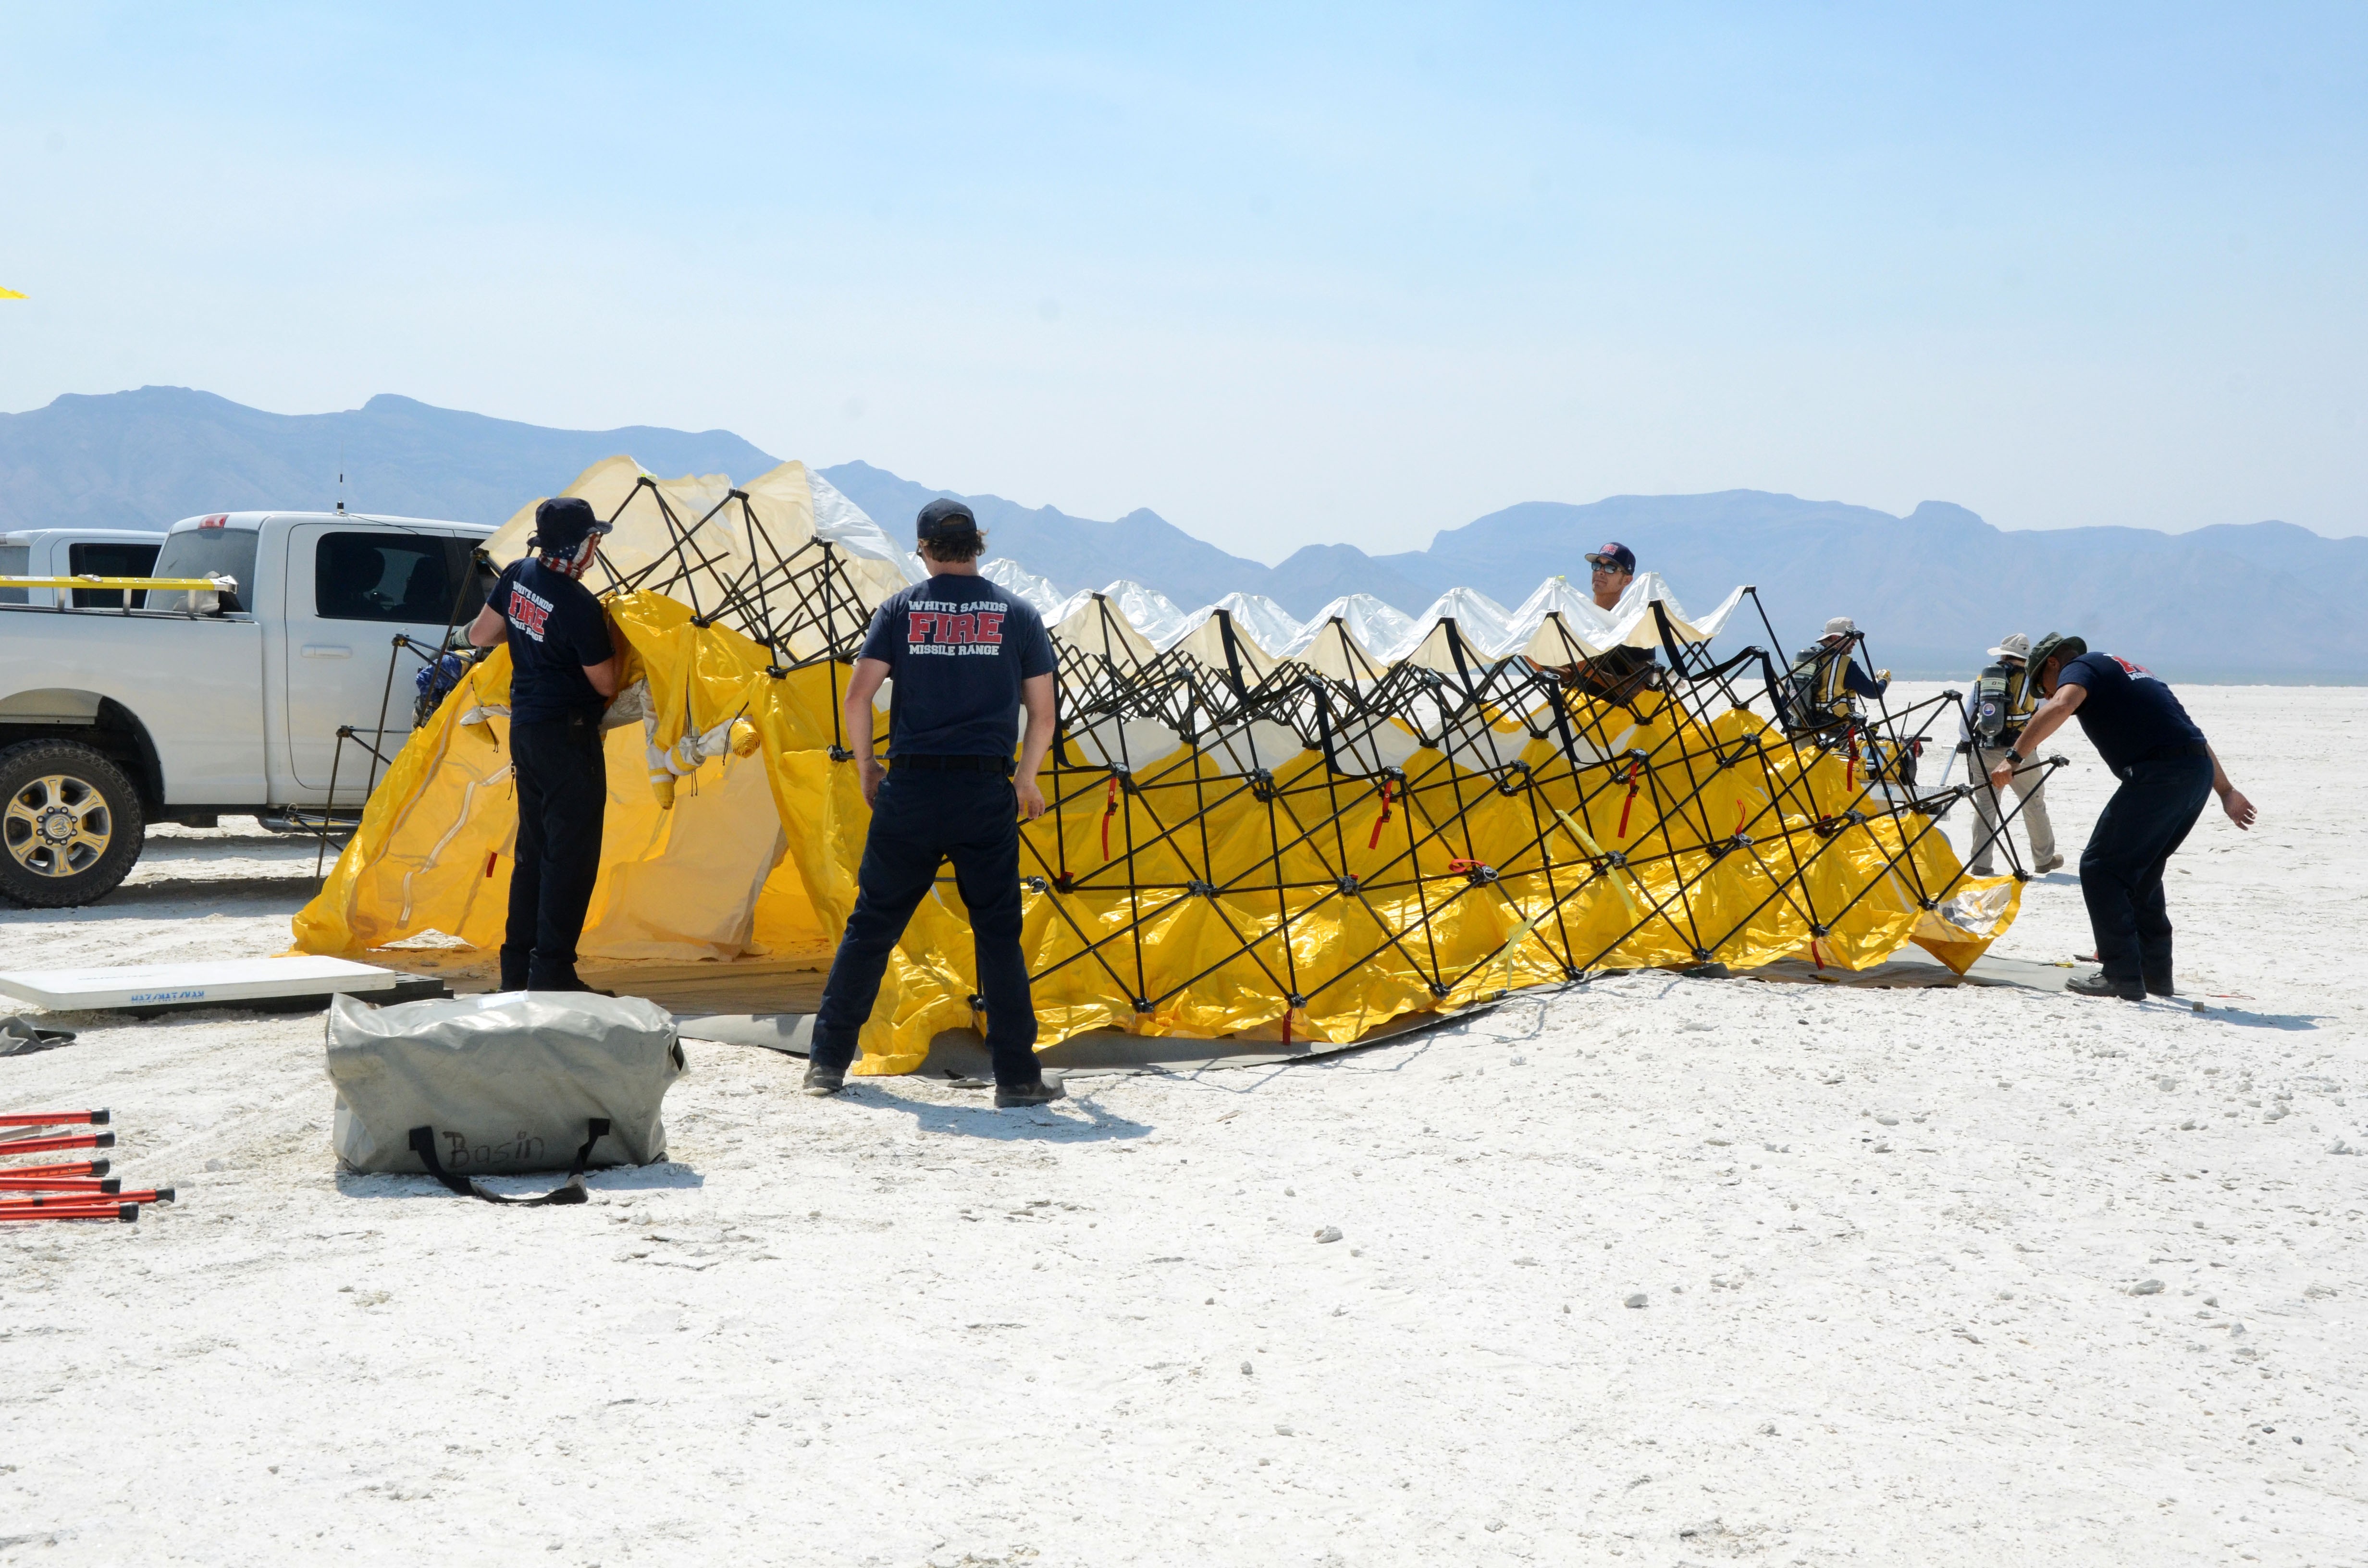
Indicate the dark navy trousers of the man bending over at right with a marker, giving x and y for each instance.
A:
(2121, 873)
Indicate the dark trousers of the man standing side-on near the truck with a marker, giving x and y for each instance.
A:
(562, 804)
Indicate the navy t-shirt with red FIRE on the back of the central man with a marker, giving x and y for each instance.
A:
(958, 650)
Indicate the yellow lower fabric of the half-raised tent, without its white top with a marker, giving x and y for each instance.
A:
(759, 854)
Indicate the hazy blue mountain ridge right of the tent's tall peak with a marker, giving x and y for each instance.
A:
(1933, 591)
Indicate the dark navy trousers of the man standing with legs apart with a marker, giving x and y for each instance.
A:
(920, 821)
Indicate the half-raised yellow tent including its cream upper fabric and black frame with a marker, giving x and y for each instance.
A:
(1242, 882)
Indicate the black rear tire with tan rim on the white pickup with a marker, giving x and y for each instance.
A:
(70, 825)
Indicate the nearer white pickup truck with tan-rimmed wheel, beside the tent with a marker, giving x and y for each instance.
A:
(202, 705)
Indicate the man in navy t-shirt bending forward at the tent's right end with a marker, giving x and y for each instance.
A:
(2166, 769)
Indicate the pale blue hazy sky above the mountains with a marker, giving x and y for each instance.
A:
(1280, 274)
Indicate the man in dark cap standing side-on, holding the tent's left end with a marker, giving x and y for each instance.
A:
(562, 674)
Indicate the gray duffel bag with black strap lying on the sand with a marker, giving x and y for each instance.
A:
(501, 1084)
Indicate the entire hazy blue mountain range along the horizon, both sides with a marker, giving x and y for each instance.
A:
(1933, 589)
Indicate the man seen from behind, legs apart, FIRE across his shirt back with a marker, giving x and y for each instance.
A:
(965, 660)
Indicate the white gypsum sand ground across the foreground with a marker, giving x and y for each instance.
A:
(1888, 1247)
